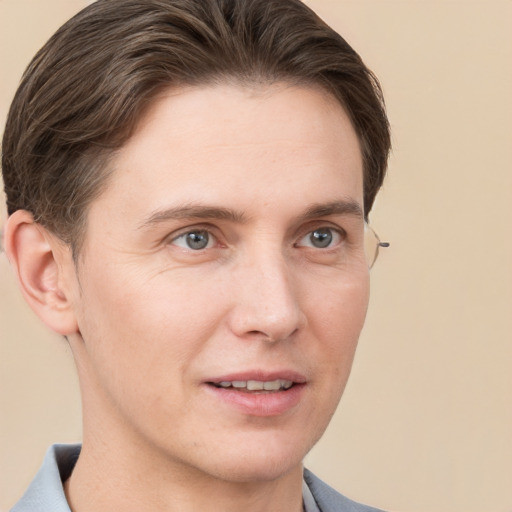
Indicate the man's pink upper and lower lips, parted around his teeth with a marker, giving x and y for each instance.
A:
(261, 404)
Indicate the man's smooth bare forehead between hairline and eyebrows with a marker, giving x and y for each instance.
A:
(236, 147)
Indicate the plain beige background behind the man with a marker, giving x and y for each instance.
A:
(426, 422)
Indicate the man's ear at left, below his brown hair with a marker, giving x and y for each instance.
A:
(45, 270)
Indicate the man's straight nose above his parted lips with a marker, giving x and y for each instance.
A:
(266, 300)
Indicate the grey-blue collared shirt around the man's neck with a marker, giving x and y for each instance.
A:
(46, 492)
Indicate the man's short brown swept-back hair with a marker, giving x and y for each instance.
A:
(84, 91)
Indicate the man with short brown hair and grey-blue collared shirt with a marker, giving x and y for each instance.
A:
(187, 185)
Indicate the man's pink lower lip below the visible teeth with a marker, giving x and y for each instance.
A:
(260, 403)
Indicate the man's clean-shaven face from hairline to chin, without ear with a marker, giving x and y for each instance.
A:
(223, 285)
